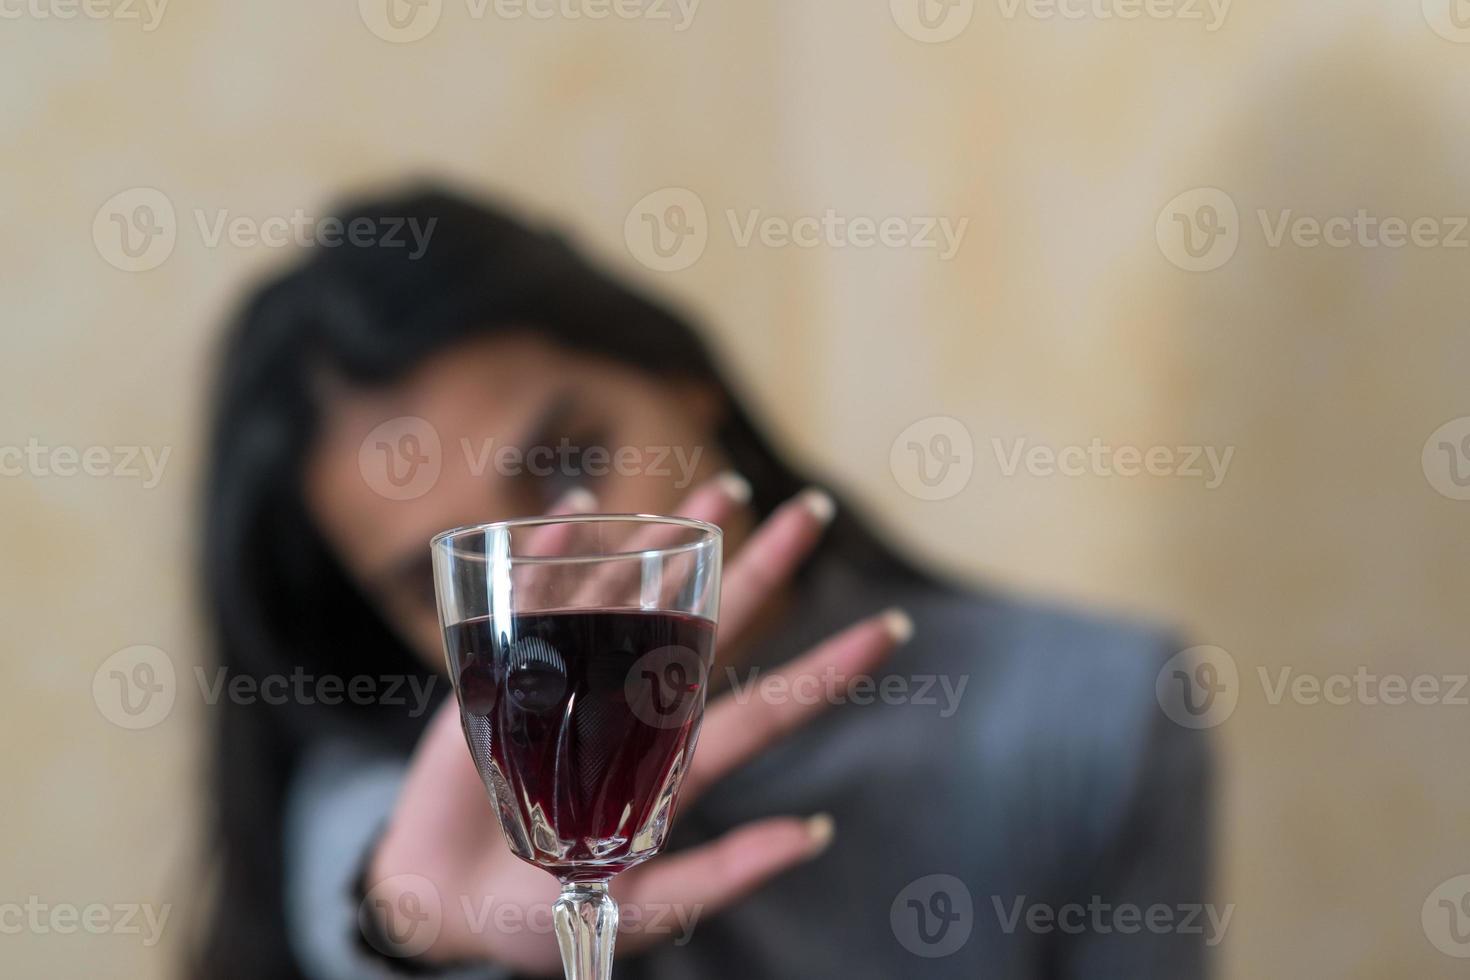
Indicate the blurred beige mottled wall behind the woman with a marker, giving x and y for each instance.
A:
(1333, 544)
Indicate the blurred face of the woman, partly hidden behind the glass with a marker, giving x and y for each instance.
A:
(511, 424)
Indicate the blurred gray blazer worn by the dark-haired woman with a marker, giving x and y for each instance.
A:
(1011, 803)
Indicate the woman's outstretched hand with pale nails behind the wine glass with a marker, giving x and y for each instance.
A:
(446, 837)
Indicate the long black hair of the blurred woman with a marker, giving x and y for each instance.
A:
(370, 314)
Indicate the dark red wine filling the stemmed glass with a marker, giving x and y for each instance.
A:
(581, 724)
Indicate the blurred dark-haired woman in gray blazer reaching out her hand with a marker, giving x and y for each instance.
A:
(1015, 757)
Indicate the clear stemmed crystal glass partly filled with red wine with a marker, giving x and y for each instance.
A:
(580, 649)
